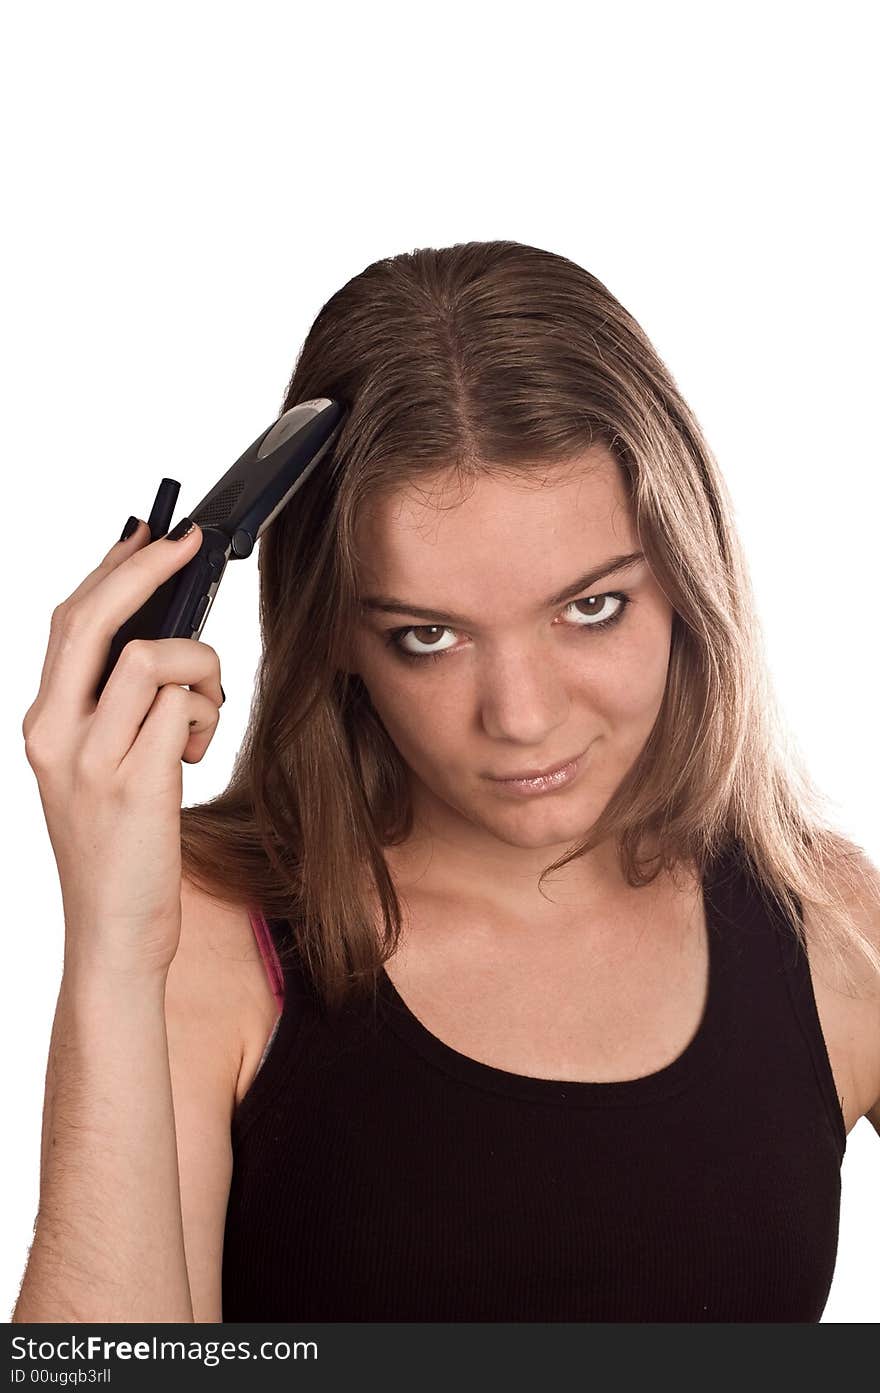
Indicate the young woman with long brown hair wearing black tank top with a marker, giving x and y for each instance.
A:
(519, 974)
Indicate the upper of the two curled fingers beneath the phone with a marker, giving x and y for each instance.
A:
(146, 668)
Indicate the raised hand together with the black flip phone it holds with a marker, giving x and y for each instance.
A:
(108, 732)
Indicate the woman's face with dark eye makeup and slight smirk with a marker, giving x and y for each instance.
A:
(510, 671)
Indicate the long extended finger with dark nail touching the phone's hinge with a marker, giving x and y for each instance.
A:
(91, 622)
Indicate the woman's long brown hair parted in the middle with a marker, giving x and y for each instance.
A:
(496, 356)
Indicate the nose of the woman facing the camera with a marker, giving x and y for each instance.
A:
(523, 697)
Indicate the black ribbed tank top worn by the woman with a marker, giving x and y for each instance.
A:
(379, 1175)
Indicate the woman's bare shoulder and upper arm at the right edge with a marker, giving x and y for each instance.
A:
(847, 991)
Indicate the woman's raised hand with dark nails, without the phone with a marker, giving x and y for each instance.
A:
(109, 774)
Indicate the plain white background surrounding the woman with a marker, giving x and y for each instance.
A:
(186, 186)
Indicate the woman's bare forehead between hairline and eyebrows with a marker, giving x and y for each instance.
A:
(530, 534)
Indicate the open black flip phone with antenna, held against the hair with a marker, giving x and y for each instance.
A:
(232, 516)
